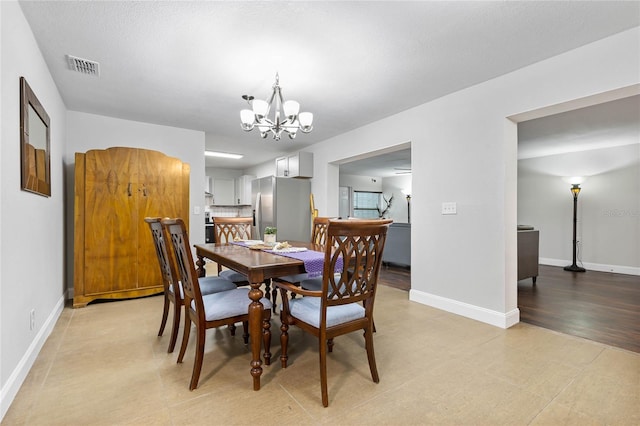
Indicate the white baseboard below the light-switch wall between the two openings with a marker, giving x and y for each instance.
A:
(488, 316)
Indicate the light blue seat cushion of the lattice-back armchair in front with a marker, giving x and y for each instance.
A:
(307, 309)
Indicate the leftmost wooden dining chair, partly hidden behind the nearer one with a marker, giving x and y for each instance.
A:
(173, 293)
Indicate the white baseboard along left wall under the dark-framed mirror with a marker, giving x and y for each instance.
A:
(19, 374)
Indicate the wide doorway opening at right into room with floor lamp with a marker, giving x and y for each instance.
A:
(597, 138)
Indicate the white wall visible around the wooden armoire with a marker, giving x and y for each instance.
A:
(89, 131)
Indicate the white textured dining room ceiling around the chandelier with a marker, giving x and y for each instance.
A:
(186, 64)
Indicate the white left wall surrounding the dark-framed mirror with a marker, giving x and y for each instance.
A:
(31, 226)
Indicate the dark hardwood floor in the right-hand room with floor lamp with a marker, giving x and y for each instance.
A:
(599, 306)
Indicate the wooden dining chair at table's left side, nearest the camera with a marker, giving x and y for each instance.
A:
(211, 310)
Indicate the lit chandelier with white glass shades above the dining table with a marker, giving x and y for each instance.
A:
(286, 116)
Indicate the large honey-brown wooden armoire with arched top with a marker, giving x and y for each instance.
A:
(115, 189)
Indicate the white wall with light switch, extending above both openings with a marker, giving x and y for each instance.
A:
(466, 147)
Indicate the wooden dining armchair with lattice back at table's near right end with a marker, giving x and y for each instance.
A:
(345, 302)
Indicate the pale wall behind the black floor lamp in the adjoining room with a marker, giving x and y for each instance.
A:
(608, 226)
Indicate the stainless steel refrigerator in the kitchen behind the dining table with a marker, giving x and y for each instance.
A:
(283, 203)
